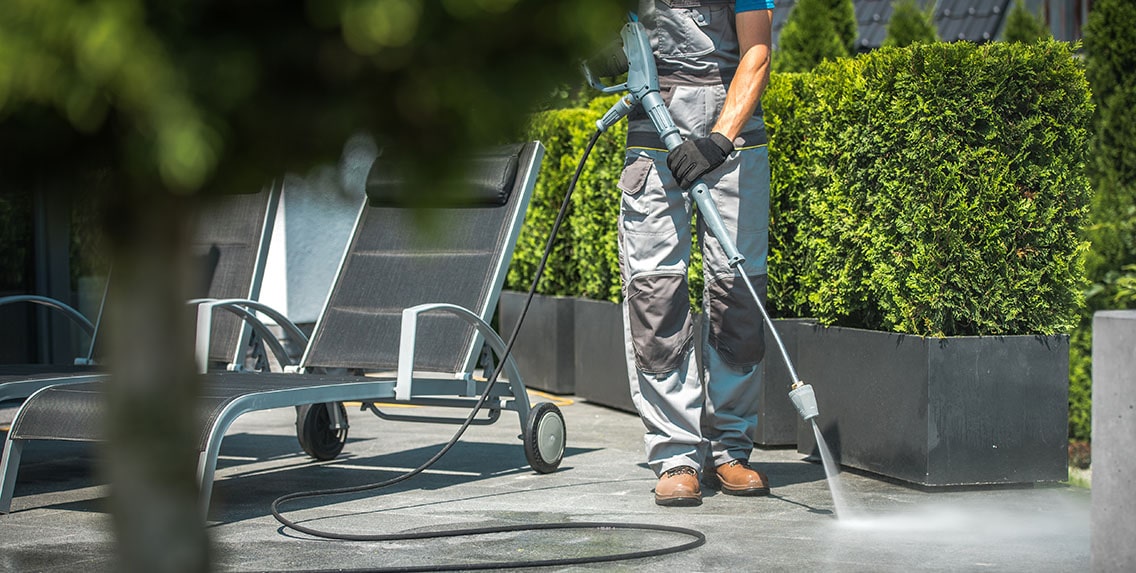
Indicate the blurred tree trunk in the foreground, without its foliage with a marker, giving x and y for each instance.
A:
(152, 453)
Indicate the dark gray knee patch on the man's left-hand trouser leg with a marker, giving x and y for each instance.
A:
(659, 315)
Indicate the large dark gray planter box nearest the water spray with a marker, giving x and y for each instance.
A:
(959, 411)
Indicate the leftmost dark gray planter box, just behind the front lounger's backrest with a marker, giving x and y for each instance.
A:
(545, 348)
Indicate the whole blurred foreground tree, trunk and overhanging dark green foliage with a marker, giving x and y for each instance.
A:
(179, 98)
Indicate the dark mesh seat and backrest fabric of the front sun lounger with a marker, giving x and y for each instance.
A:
(391, 264)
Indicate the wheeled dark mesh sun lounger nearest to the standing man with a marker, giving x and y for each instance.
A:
(415, 309)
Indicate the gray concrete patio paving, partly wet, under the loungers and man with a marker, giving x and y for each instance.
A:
(60, 521)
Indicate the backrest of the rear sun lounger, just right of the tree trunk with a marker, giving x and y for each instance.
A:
(231, 244)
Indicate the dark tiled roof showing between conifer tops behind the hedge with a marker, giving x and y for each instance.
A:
(975, 21)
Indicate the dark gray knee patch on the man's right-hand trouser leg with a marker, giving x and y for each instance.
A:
(736, 322)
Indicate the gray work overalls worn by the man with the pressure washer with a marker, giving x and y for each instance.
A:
(706, 414)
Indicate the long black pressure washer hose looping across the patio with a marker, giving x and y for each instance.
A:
(697, 538)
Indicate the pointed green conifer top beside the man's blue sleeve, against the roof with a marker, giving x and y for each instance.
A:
(811, 37)
